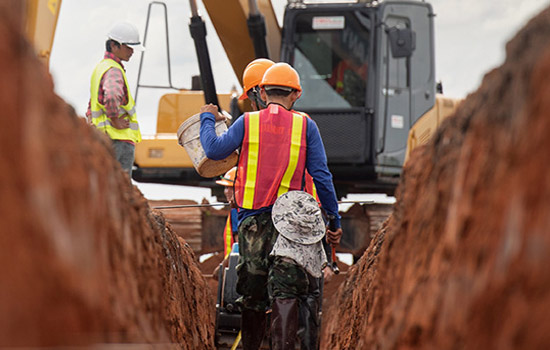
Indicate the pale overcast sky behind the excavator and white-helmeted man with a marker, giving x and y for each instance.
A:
(470, 38)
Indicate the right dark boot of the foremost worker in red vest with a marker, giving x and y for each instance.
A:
(284, 324)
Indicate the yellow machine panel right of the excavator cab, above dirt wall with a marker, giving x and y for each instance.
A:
(425, 127)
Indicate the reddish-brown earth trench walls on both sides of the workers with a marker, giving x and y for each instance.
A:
(460, 264)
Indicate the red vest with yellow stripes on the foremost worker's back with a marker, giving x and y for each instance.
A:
(273, 156)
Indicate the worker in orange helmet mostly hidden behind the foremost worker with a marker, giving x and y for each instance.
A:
(309, 325)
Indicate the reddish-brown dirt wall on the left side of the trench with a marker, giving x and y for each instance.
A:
(83, 260)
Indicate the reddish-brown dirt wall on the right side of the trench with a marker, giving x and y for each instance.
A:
(463, 261)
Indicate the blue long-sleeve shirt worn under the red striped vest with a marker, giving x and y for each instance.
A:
(220, 147)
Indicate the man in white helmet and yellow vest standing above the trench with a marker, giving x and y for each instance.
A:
(111, 108)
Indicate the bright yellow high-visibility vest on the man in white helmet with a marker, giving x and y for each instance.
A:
(100, 119)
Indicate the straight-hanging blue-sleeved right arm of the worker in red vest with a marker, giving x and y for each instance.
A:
(316, 164)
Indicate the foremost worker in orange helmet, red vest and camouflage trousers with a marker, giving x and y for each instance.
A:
(277, 146)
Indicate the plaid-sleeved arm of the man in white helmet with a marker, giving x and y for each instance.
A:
(113, 85)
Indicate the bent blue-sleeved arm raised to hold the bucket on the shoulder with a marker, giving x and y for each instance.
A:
(220, 147)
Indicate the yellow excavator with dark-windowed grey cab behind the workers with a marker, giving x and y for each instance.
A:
(368, 76)
